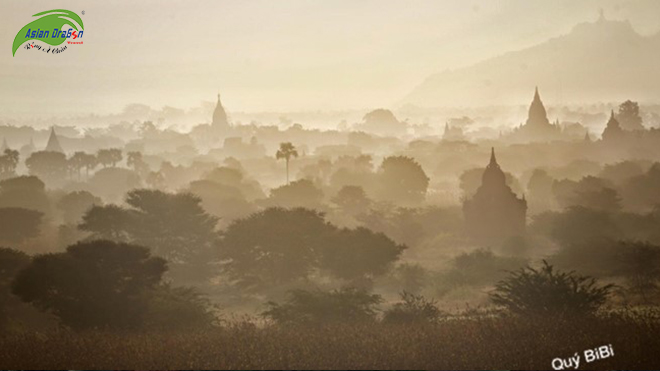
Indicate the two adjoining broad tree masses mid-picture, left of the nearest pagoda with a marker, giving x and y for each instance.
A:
(289, 246)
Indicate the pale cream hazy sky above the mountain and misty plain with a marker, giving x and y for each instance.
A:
(273, 54)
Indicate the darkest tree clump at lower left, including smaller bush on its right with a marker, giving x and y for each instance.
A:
(104, 284)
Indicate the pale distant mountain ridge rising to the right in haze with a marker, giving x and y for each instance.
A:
(601, 61)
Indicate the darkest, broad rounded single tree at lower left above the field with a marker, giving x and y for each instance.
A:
(93, 284)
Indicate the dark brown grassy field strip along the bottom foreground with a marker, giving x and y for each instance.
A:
(487, 343)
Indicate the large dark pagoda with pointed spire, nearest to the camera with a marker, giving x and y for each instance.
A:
(495, 213)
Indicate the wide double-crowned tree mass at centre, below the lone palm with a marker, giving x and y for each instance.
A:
(280, 246)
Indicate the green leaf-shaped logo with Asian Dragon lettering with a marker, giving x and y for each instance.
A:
(48, 28)
